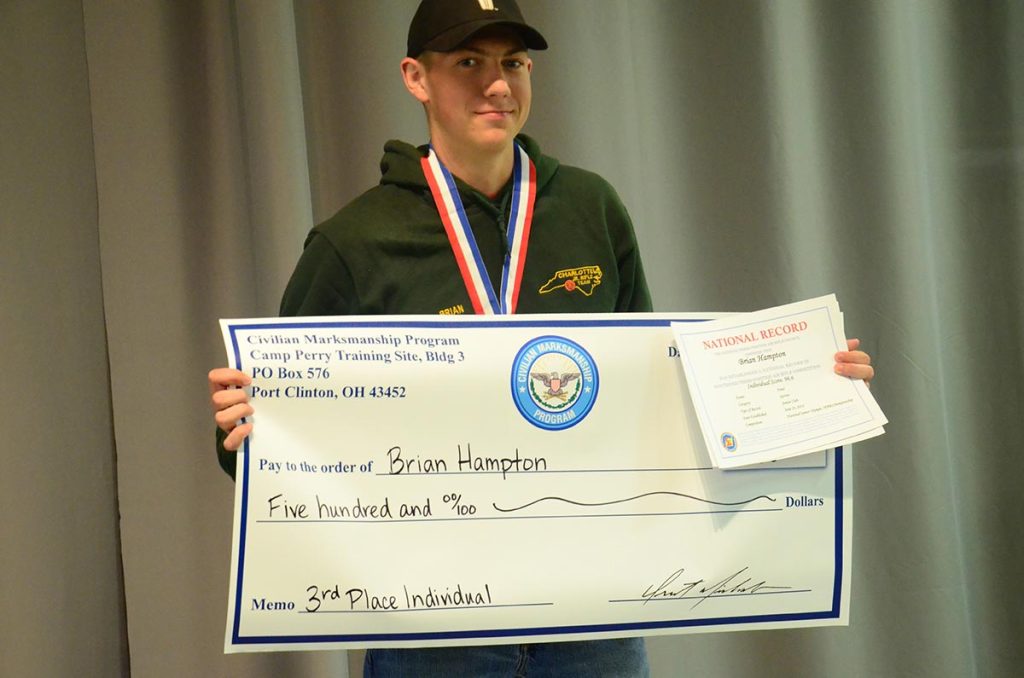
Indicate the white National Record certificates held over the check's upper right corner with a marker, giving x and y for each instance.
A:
(764, 389)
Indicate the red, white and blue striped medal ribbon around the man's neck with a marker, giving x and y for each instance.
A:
(467, 255)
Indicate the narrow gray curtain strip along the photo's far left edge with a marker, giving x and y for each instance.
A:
(60, 558)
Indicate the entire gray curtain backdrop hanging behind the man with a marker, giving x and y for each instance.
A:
(162, 161)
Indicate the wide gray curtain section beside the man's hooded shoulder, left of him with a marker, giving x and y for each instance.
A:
(203, 205)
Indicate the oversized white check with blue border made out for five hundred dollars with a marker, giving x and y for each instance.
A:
(422, 481)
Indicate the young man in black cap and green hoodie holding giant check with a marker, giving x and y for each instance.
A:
(398, 249)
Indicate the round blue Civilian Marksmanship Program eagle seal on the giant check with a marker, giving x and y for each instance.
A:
(554, 383)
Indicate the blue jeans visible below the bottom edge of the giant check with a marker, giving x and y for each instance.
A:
(588, 659)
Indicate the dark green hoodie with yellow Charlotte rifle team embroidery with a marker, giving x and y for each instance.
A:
(388, 252)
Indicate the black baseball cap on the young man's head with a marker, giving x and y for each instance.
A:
(441, 26)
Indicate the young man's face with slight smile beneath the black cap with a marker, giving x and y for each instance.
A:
(478, 97)
